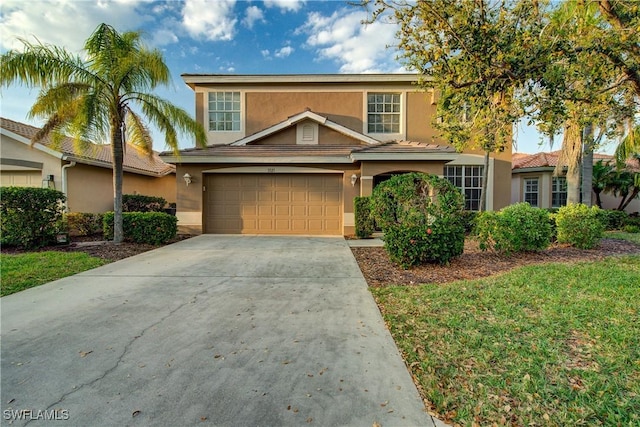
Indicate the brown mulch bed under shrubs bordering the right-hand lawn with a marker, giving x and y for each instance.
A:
(378, 270)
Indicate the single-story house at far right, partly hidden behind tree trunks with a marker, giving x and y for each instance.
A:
(532, 181)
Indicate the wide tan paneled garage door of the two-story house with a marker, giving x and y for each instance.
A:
(274, 204)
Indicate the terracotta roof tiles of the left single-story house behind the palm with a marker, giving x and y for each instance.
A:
(134, 159)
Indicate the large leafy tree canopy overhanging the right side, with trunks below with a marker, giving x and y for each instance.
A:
(571, 67)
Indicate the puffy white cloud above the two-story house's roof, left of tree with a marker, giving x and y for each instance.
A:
(356, 47)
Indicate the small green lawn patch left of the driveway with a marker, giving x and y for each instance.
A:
(23, 271)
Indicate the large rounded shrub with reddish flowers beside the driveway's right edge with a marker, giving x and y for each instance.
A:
(421, 218)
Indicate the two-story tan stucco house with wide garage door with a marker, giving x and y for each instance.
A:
(287, 154)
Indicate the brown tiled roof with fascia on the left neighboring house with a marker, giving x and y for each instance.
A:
(98, 155)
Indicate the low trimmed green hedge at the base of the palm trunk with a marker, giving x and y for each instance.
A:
(155, 228)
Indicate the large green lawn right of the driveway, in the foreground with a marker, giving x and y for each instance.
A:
(555, 344)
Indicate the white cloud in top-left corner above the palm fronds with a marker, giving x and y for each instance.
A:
(63, 22)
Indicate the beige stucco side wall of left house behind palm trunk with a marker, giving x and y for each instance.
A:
(90, 188)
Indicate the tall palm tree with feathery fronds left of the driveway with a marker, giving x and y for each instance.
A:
(91, 98)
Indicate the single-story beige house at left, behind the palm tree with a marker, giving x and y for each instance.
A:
(85, 178)
